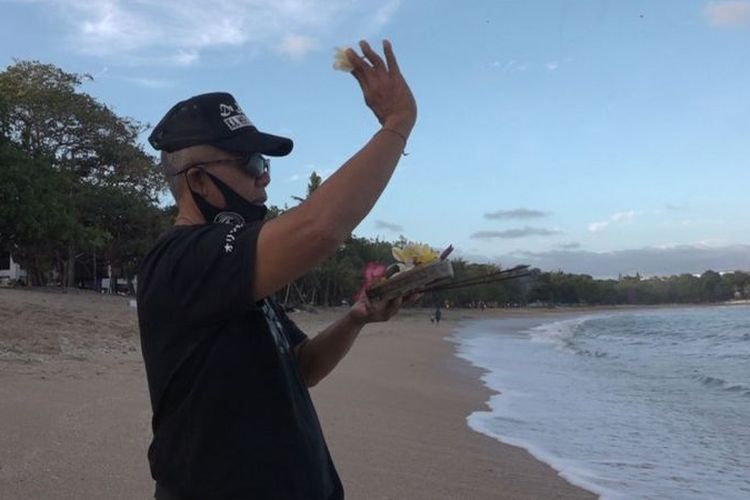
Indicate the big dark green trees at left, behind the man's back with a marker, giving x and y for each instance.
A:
(79, 193)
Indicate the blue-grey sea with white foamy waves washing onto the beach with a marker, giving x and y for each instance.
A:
(632, 404)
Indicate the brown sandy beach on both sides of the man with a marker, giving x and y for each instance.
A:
(75, 417)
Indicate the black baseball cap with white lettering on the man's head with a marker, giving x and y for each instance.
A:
(218, 120)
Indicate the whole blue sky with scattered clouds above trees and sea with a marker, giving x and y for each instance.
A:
(594, 136)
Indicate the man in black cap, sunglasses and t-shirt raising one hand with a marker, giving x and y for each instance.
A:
(227, 370)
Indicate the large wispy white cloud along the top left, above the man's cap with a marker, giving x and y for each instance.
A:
(178, 31)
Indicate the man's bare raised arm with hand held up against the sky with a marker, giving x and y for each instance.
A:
(292, 244)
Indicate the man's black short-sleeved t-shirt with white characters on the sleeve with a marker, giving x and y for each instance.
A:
(232, 417)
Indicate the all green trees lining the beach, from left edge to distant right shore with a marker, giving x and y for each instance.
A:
(80, 198)
